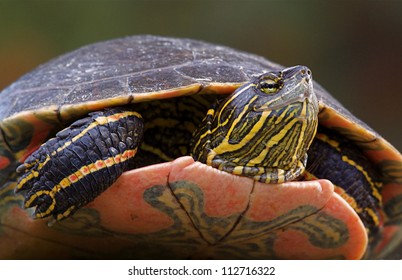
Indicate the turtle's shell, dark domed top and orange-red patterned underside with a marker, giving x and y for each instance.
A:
(179, 209)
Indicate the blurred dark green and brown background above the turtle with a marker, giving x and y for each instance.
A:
(354, 48)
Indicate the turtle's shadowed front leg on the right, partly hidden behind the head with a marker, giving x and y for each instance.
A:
(355, 179)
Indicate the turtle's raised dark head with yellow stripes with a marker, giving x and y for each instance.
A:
(264, 129)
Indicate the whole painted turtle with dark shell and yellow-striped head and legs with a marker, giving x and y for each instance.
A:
(156, 147)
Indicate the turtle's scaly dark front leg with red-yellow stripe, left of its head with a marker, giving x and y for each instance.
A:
(81, 162)
